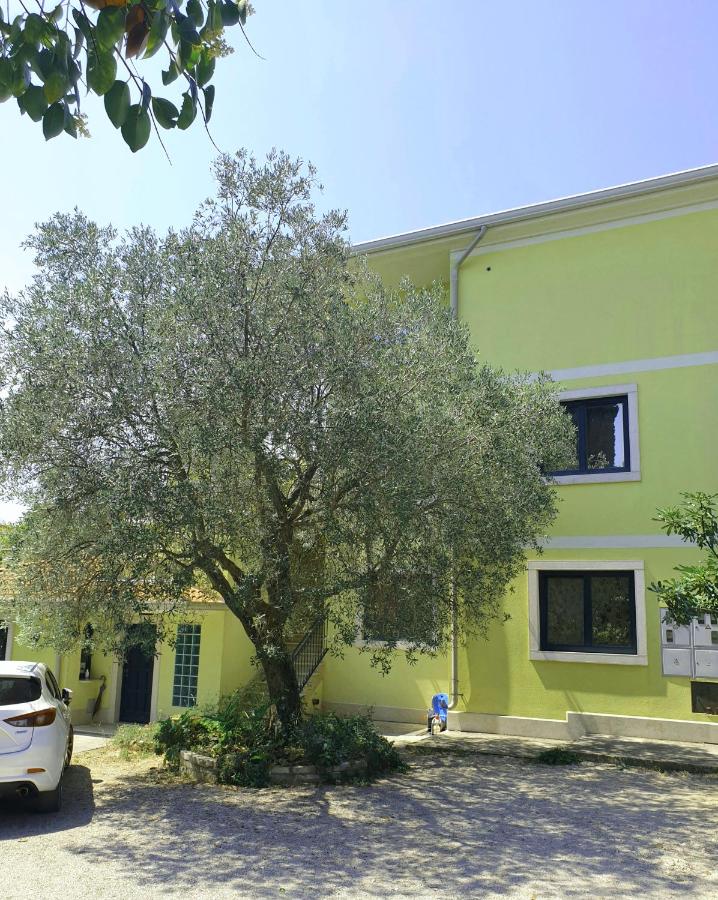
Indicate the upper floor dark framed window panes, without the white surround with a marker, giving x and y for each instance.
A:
(602, 441)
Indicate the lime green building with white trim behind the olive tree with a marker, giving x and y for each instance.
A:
(615, 294)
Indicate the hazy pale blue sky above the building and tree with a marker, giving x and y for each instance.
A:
(415, 113)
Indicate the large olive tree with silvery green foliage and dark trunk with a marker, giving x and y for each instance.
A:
(241, 406)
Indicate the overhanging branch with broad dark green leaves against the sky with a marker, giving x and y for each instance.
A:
(48, 57)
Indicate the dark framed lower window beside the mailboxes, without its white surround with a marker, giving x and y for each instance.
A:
(592, 612)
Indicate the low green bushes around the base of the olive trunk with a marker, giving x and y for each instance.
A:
(249, 742)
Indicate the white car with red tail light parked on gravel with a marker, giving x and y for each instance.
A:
(35, 734)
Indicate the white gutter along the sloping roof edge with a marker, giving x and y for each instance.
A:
(536, 210)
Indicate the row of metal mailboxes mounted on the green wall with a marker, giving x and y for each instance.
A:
(690, 650)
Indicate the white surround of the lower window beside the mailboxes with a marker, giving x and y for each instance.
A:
(639, 658)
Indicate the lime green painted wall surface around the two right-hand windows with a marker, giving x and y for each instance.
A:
(638, 291)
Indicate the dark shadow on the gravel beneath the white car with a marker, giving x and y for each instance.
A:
(18, 818)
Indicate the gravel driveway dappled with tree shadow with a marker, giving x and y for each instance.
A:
(456, 825)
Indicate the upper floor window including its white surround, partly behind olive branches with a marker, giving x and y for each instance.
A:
(606, 444)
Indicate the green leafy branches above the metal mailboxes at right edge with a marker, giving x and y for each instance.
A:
(695, 590)
